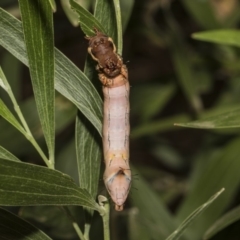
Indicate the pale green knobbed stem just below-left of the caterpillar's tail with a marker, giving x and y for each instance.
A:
(104, 203)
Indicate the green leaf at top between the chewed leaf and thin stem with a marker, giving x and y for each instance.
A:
(108, 19)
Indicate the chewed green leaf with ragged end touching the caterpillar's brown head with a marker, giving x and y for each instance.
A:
(87, 21)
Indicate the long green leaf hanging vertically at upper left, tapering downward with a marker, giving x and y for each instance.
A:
(38, 32)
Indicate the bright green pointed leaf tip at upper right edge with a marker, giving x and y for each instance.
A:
(228, 36)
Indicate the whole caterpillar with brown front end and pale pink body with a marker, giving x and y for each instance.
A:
(113, 75)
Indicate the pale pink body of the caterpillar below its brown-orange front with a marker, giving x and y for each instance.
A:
(117, 175)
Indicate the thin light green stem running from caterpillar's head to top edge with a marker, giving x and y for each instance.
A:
(119, 25)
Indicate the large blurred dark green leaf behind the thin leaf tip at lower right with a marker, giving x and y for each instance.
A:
(212, 173)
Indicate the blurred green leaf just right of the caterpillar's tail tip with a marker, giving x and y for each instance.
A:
(153, 214)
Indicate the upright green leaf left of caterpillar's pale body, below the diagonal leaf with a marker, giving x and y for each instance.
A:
(89, 155)
